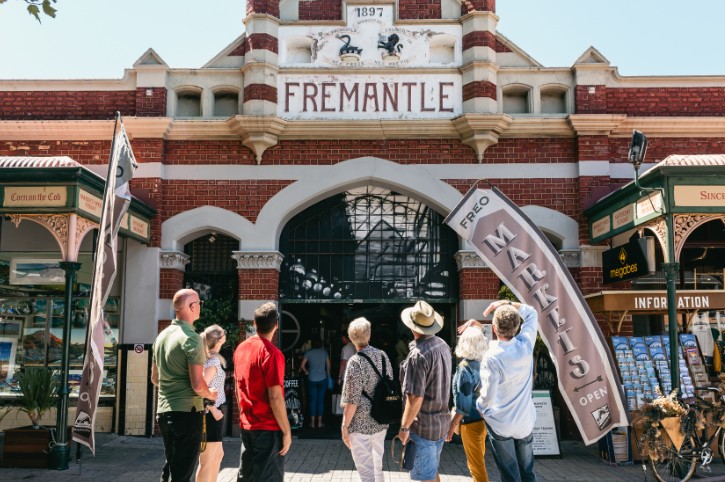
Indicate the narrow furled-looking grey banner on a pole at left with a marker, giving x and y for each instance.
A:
(116, 200)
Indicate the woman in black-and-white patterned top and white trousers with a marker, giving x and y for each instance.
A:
(362, 435)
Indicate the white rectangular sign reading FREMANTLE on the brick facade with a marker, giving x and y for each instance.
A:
(428, 96)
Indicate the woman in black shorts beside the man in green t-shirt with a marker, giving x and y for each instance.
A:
(210, 459)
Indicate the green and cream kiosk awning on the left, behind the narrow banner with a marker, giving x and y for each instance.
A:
(65, 197)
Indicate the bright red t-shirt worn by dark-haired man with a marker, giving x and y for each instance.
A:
(258, 364)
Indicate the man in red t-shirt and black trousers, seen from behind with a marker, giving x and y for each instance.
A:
(259, 377)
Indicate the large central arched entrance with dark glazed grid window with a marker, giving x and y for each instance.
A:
(368, 251)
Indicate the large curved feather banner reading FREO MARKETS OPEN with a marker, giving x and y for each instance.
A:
(514, 248)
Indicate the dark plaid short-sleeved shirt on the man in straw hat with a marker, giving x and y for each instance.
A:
(426, 372)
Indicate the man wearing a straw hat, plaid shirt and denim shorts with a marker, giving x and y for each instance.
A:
(425, 376)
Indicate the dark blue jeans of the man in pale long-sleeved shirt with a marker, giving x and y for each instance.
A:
(514, 457)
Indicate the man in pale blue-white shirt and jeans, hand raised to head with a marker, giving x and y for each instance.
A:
(506, 384)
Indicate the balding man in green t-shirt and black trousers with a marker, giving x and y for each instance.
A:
(177, 370)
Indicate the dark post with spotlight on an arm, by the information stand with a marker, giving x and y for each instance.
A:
(637, 150)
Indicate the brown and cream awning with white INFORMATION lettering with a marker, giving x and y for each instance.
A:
(617, 305)
